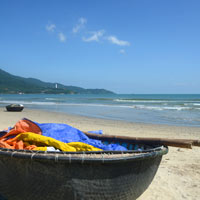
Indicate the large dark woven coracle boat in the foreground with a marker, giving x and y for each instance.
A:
(102, 175)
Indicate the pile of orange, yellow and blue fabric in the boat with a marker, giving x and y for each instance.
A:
(30, 135)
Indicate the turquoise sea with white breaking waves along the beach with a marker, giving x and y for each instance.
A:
(180, 109)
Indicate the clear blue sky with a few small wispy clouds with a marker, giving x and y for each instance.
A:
(127, 46)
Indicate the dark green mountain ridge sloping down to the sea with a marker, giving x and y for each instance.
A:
(11, 84)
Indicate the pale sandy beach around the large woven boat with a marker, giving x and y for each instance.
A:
(178, 176)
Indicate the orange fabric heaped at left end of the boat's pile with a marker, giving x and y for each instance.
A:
(21, 126)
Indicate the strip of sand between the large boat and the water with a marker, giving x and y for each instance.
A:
(108, 126)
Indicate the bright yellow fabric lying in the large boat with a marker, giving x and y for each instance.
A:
(43, 141)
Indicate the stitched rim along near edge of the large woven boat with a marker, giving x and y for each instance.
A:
(83, 156)
